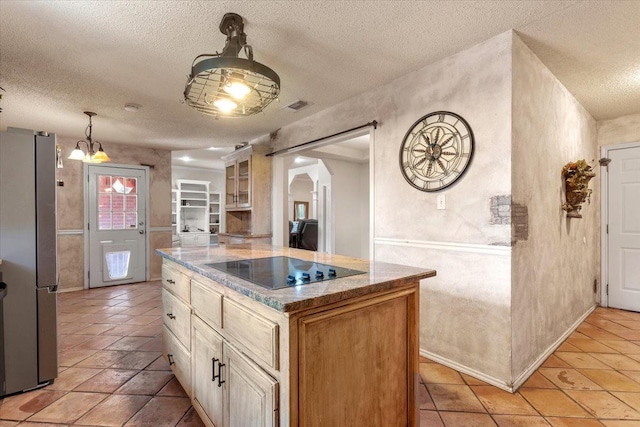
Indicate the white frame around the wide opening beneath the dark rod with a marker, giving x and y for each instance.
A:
(280, 216)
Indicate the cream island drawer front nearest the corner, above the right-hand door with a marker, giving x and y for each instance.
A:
(256, 333)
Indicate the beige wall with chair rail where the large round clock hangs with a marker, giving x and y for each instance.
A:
(465, 310)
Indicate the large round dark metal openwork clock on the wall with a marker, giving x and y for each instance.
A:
(436, 151)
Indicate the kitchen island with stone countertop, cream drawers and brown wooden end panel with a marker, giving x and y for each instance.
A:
(338, 351)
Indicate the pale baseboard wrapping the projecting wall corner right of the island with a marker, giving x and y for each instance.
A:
(524, 375)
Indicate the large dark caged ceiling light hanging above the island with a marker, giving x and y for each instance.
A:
(224, 85)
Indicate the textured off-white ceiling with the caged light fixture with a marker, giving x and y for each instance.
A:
(60, 58)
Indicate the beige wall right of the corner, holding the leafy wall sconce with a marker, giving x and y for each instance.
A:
(554, 268)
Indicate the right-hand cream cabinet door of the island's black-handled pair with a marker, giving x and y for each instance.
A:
(252, 397)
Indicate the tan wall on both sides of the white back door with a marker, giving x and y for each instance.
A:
(71, 207)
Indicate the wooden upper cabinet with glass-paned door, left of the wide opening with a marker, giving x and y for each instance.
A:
(247, 199)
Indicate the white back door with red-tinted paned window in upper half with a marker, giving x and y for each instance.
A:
(117, 225)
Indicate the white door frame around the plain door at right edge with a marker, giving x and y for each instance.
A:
(604, 220)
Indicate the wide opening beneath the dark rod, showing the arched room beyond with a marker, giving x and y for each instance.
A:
(331, 185)
